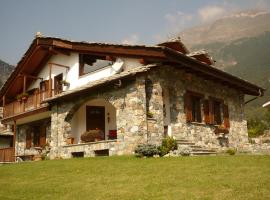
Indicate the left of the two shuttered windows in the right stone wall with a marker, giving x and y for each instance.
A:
(193, 106)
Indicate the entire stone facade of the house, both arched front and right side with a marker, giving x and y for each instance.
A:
(139, 105)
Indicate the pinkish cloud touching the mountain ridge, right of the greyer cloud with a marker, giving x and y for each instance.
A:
(210, 13)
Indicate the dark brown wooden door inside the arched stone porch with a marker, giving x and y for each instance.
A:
(95, 118)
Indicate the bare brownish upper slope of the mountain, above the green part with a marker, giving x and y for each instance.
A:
(229, 28)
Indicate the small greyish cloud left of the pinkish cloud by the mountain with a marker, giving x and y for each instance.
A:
(178, 20)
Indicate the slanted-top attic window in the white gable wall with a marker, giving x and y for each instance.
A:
(90, 63)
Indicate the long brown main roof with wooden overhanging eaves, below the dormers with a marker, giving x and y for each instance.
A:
(43, 47)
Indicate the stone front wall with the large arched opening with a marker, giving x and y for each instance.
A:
(129, 102)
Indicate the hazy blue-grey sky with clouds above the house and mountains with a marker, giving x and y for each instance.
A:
(115, 21)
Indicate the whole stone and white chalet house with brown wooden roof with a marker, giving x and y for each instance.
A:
(125, 94)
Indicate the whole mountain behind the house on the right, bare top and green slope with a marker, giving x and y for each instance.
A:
(240, 45)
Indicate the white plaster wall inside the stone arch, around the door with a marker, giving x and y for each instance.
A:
(78, 122)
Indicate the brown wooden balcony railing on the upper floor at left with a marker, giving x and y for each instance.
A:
(32, 102)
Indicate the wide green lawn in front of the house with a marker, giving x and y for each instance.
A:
(213, 177)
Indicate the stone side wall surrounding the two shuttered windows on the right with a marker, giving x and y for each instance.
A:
(177, 83)
